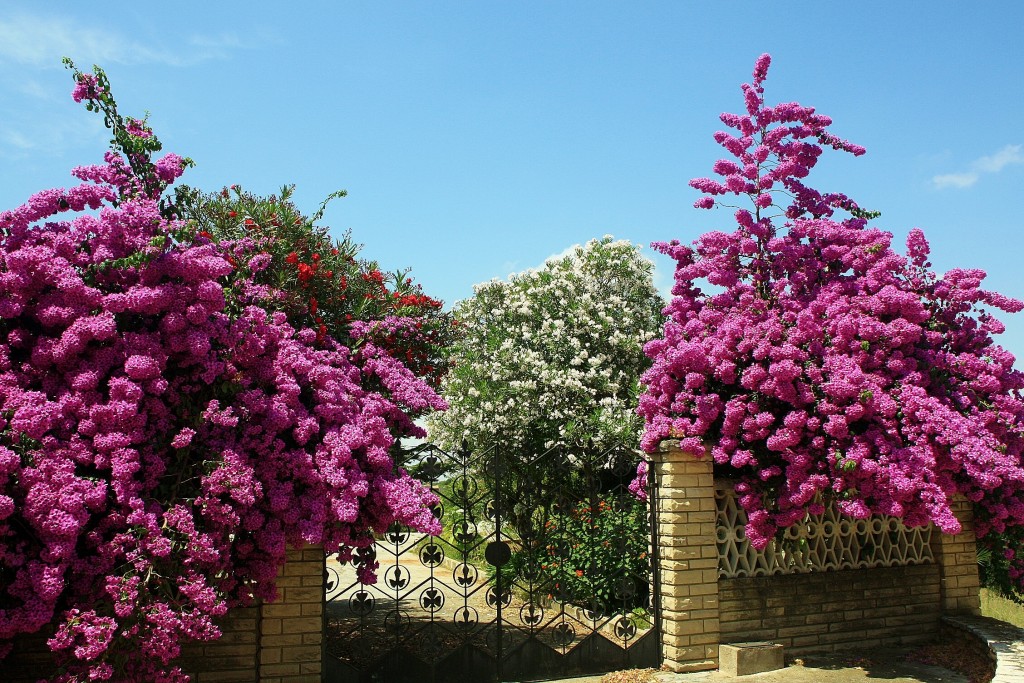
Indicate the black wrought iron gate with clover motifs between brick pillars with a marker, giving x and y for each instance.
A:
(544, 569)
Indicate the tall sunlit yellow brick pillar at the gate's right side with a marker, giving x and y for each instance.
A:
(688, 559)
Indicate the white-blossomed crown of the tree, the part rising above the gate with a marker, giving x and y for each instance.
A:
(553, 355)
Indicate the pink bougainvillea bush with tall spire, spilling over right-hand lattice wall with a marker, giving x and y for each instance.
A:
(810, 358)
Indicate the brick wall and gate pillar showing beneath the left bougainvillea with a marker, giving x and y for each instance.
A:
(278, 643)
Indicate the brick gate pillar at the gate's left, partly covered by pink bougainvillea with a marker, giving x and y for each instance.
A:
(292, 628)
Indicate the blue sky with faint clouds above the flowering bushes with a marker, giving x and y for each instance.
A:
(477, 140)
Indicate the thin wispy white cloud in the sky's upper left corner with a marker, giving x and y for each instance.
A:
(41, 41)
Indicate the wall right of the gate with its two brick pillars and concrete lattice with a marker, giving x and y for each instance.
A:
(881, 584)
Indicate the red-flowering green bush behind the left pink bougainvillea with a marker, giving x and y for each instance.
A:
(320, 283)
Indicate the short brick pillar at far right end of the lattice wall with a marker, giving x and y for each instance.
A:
(958, 560)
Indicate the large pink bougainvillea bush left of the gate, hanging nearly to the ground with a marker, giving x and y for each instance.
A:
(164, 438)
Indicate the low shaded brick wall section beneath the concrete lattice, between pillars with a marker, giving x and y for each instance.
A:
(828, 611)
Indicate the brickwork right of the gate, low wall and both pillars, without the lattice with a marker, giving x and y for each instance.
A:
(816, 612)
